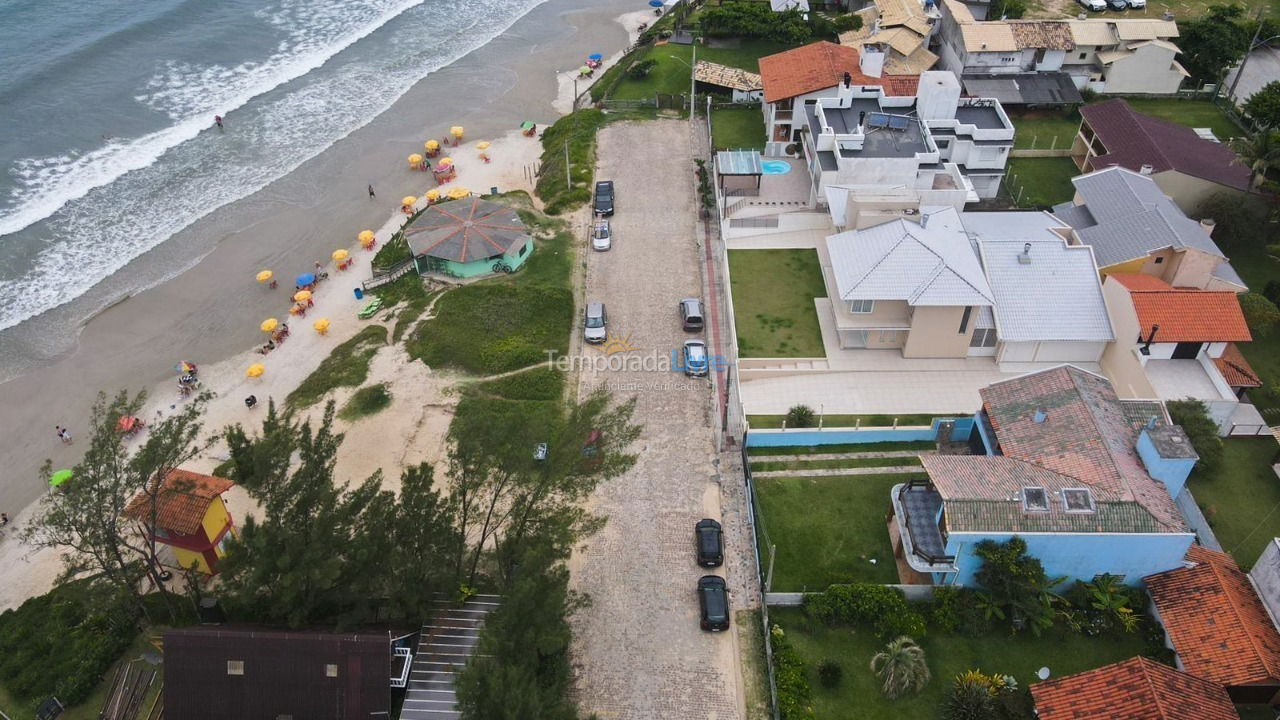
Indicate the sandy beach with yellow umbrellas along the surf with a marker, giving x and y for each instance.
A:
(211, 312)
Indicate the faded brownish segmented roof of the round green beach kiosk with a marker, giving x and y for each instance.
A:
(467, 231)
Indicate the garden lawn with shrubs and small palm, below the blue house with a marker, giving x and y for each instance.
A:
(858, 698)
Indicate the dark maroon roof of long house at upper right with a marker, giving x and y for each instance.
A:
(1135, 140)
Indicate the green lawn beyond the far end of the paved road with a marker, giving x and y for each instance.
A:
(674, 71)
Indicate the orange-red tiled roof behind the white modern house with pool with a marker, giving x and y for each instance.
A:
(819, 67)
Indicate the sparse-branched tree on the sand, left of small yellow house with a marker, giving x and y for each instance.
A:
(84, 520)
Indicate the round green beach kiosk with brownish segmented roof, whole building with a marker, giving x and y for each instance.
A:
(469, 238)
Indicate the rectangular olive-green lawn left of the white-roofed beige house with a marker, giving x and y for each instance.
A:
(774, 293)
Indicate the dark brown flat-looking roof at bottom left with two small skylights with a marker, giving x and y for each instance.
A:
(285, 675)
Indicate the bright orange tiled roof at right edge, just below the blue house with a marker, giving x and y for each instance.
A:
(1217, 621)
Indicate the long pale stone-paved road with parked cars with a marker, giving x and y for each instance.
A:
(638, 650)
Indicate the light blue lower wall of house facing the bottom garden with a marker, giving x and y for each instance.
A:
(1082, 557)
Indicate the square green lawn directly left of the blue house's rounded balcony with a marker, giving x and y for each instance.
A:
(828, 530)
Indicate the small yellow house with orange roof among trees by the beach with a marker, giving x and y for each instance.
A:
(189, 516)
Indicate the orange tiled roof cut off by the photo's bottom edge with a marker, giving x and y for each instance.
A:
(1133, 690)
